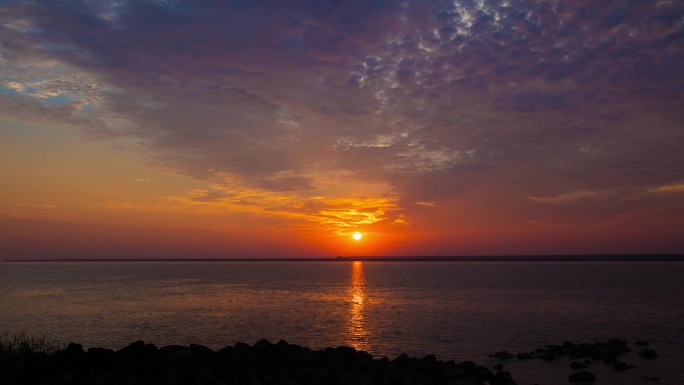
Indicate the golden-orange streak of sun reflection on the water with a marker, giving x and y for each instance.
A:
(358, 335)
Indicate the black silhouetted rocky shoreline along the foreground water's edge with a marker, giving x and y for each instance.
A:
(266, 363)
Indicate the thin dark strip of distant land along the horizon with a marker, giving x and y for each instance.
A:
(501, 258)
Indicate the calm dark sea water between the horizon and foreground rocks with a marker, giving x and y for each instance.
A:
(455, 310)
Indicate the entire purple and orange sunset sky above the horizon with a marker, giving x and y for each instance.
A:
(225, 129)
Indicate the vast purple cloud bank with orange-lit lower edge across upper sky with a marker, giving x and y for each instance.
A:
(432, 99)
